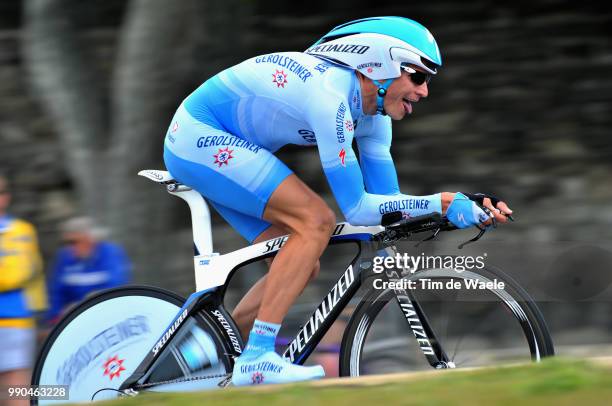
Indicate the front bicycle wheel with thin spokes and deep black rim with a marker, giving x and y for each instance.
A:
(474, 327)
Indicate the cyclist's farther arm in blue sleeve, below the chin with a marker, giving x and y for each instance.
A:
(373, 137)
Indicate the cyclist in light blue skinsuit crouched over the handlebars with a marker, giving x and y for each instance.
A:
(348, 85)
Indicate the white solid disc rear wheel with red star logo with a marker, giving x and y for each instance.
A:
(103, 340)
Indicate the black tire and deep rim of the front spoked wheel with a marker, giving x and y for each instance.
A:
(365, 314)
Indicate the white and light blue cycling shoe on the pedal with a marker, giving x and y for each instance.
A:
(269, 368)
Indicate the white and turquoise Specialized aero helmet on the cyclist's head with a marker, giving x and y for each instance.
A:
(379, 48)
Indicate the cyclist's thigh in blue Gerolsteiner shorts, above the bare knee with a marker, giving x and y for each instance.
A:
(229, 171)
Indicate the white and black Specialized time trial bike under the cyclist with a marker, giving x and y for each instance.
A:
(140, 338)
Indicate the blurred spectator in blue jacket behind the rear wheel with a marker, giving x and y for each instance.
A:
(84, 265)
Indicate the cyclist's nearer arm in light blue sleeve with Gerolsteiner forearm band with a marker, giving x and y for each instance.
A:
(344, 174)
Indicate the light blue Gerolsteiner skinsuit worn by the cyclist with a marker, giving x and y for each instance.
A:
(222, 138)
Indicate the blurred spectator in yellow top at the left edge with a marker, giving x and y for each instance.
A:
(22, 293)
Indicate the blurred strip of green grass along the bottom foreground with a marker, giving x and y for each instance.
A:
(553, 382)
